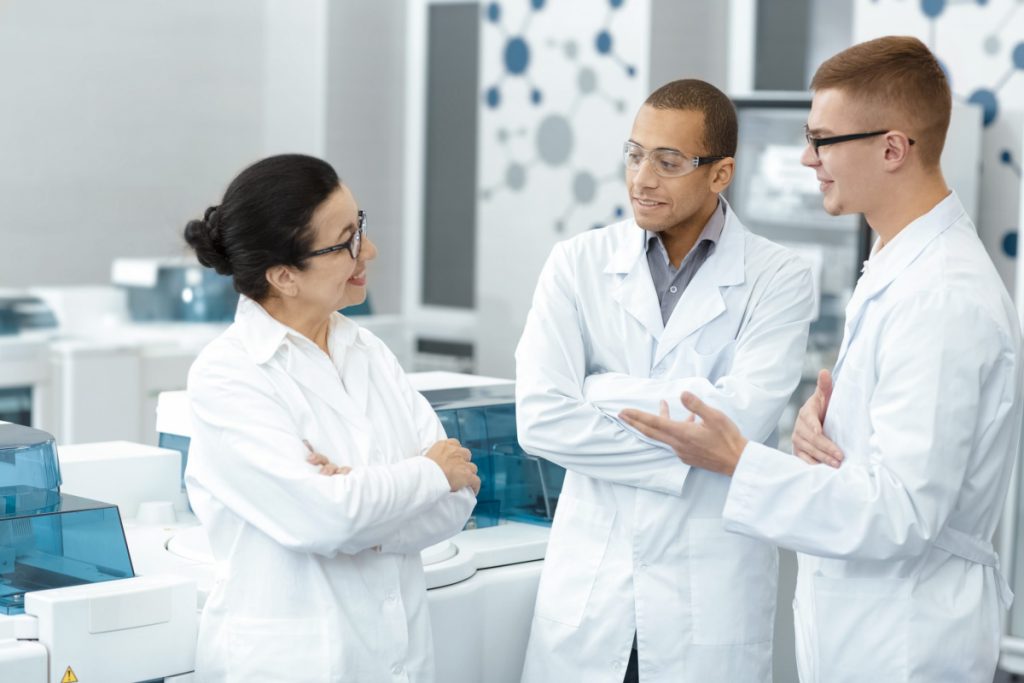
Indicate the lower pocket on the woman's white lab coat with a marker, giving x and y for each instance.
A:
(278, 650)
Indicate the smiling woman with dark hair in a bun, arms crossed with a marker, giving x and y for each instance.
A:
(318, 473)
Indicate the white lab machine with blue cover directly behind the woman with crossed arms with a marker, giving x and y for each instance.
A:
(482, 584)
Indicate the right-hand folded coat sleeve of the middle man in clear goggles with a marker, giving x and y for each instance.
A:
(765, 369)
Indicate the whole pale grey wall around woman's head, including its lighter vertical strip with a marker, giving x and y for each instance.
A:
(109, 157)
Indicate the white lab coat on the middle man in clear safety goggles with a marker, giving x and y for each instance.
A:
(637, 544)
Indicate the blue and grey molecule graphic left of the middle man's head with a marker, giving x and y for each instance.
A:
(554, 140)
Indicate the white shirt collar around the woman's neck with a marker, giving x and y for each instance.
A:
(263, 334)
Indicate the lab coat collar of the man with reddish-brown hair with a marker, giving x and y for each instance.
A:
(885, 266)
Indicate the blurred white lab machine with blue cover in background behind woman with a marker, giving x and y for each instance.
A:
(96, 374)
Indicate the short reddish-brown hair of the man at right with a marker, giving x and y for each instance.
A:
(901, 82)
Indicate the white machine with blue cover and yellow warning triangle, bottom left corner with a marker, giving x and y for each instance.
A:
(71, 607)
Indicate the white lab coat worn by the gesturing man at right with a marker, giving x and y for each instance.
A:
(927, 410)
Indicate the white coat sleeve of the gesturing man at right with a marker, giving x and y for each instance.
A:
(933, 355)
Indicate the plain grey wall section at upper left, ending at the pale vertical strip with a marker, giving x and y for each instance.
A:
(106, 156)
